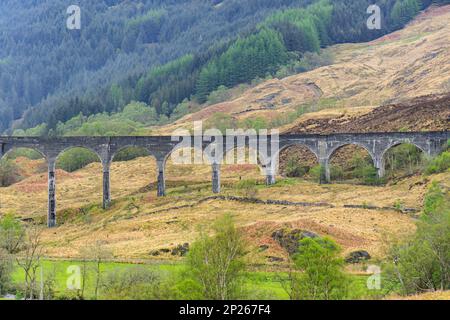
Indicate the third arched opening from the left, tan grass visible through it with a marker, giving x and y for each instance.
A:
(133, 169)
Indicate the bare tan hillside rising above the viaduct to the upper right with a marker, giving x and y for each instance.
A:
(407, 64)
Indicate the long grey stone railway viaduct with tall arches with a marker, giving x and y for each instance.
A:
(323, 146)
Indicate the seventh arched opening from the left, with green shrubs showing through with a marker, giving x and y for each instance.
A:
(352, 164)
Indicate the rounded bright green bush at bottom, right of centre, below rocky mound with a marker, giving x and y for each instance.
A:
(321, 275)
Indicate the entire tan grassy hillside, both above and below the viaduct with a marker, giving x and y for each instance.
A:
(344, 96)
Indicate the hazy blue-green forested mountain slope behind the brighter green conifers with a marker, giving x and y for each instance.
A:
(119, 40)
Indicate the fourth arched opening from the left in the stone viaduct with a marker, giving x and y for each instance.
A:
(186, 171)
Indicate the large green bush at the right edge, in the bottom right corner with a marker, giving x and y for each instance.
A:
(421, 262)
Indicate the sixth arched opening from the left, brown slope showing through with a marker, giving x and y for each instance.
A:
(298, 161)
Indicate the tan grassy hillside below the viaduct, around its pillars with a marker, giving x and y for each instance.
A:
(140, 224)
